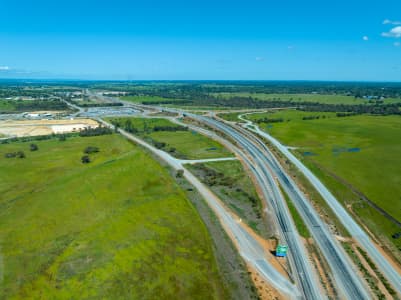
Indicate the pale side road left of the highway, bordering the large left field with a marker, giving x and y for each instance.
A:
(249, 248)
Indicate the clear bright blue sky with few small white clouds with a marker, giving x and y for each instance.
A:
(244, 40)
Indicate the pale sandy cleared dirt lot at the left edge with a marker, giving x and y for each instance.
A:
(42, 127)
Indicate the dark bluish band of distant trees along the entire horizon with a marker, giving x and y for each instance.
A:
(192, 89)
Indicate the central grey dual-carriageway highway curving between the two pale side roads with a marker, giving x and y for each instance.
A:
(346, 278)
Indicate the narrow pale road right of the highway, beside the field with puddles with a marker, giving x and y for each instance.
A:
(343, 216)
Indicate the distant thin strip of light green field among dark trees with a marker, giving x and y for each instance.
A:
(326, 99)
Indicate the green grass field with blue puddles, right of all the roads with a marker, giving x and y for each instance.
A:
(362, 152)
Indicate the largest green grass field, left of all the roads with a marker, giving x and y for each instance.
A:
(116, 228)
